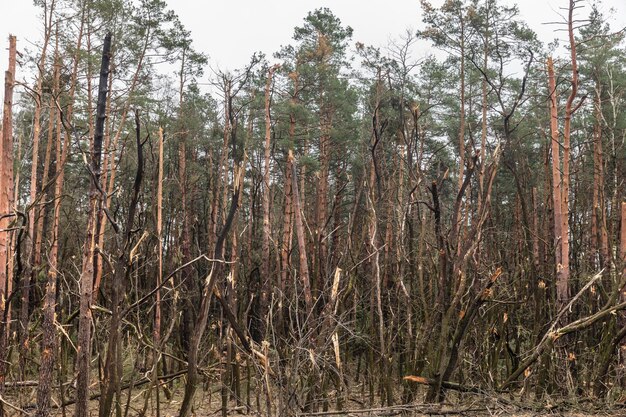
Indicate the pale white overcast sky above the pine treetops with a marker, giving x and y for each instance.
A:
(229, 31)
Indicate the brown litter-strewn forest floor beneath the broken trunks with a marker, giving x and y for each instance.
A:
(208, 404)
